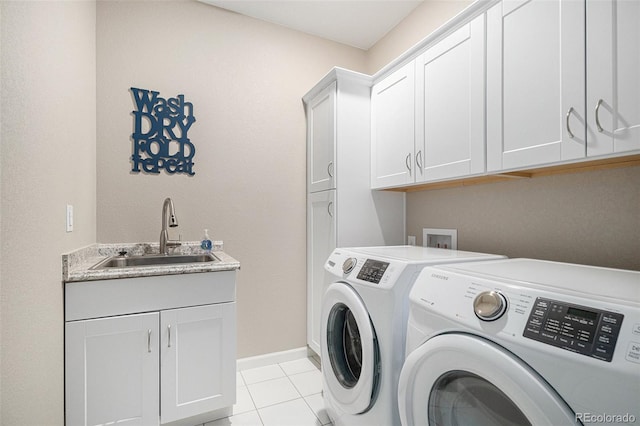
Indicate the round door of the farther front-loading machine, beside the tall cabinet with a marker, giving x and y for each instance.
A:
(349, 349)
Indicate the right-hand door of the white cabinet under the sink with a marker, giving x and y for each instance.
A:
(198, 346)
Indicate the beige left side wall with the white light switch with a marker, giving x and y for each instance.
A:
(47, 160)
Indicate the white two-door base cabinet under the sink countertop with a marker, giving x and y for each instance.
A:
(163, 365)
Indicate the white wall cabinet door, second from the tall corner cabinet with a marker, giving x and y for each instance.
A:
(450, 105)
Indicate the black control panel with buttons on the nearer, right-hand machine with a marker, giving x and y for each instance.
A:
(587, 331)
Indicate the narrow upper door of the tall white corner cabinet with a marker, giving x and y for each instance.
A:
(321, 140)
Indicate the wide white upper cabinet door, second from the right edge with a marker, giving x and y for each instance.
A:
(535, 83)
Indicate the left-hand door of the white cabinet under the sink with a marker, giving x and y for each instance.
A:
(112, 369)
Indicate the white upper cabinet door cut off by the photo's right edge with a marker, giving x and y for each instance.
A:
(613, 76)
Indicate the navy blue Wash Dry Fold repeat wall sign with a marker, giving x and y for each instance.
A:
(160, 133)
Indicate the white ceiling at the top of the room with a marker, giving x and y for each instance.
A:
(357, 23)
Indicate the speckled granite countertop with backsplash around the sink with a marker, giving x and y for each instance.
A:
(76, 265)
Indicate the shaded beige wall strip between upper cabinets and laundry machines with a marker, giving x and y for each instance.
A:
(590, 218)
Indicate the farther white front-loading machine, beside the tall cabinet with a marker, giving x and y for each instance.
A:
(364, 314)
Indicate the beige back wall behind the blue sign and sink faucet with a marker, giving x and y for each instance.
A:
(245, 79)
